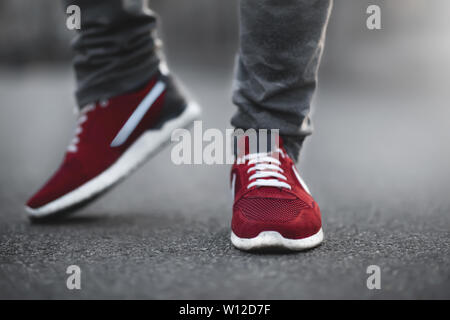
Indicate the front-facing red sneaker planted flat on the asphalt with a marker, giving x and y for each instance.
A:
(272, 205)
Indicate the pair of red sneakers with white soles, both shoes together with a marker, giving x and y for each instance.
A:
(272, 206)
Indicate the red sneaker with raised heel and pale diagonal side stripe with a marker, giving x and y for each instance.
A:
(112, 139)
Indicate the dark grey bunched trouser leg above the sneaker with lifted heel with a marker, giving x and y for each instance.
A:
(115, 50)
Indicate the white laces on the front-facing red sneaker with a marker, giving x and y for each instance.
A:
(266, 166)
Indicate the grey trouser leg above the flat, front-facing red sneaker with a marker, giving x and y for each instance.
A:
(281, 43)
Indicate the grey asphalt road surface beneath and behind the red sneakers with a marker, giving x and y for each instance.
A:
(378, 165)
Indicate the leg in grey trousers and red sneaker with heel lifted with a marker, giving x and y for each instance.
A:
(130, 107)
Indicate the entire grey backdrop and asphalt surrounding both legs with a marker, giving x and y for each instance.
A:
(378, 164)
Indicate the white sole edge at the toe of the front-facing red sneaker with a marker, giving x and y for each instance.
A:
(273, 239)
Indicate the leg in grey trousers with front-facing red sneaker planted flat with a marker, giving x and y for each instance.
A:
(281, 45)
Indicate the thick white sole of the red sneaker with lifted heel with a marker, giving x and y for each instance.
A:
(142, 149)
